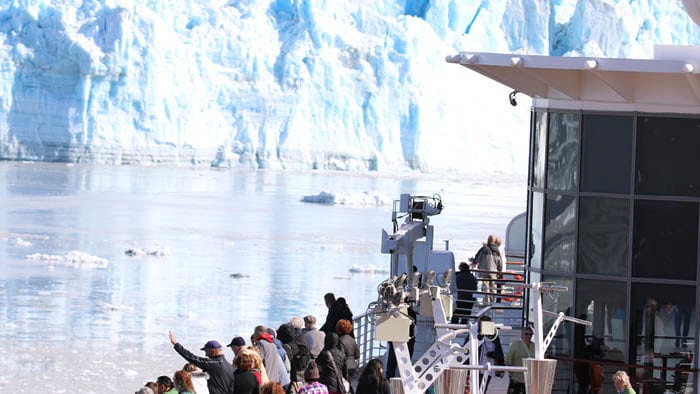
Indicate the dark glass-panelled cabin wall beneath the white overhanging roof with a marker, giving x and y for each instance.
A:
(613, 214)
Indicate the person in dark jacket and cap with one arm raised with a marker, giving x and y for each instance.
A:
(215, 364)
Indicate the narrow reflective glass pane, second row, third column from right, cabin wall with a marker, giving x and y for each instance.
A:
(559, 233)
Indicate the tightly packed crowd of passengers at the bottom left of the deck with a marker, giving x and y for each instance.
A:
(298, 357)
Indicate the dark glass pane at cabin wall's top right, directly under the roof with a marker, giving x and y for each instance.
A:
(667, 156)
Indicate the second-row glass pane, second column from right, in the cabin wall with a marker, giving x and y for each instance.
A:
(603, 235)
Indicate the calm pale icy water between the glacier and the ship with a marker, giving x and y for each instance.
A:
(103, 329)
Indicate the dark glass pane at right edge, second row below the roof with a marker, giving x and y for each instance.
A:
(665, 239)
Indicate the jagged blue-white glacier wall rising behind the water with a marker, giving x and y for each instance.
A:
(293, 84)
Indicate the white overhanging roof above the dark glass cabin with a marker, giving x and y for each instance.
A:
(669, 83)
